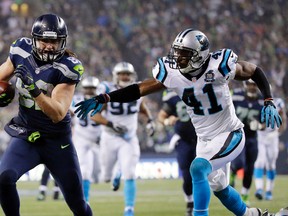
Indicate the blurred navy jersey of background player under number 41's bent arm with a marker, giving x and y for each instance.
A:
(247, 110)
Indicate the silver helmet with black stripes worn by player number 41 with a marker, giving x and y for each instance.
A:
(189, 51)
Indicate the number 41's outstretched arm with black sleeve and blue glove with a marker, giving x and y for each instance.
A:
(130, 93)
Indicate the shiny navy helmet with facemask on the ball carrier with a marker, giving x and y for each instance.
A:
(52, 29)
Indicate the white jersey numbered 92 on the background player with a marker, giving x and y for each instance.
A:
(122, 113)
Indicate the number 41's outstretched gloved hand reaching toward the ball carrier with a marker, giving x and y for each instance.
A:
(94, 103)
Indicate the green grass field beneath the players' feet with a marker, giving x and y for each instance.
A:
(154, 198)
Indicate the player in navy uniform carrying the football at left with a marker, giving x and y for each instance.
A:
(47, 74)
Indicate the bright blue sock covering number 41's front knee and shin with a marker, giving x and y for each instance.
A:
(200, 169)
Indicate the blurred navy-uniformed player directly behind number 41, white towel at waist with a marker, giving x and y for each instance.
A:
(173, 113)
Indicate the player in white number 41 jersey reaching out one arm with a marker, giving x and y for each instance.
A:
(200, 78)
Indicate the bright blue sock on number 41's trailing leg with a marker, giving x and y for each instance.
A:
(231, 200)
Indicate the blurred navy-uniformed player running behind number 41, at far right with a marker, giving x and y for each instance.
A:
(248, 104)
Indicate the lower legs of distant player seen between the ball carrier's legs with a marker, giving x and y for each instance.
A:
(43, 186)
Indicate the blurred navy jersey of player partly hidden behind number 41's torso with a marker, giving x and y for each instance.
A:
(173, 105)
